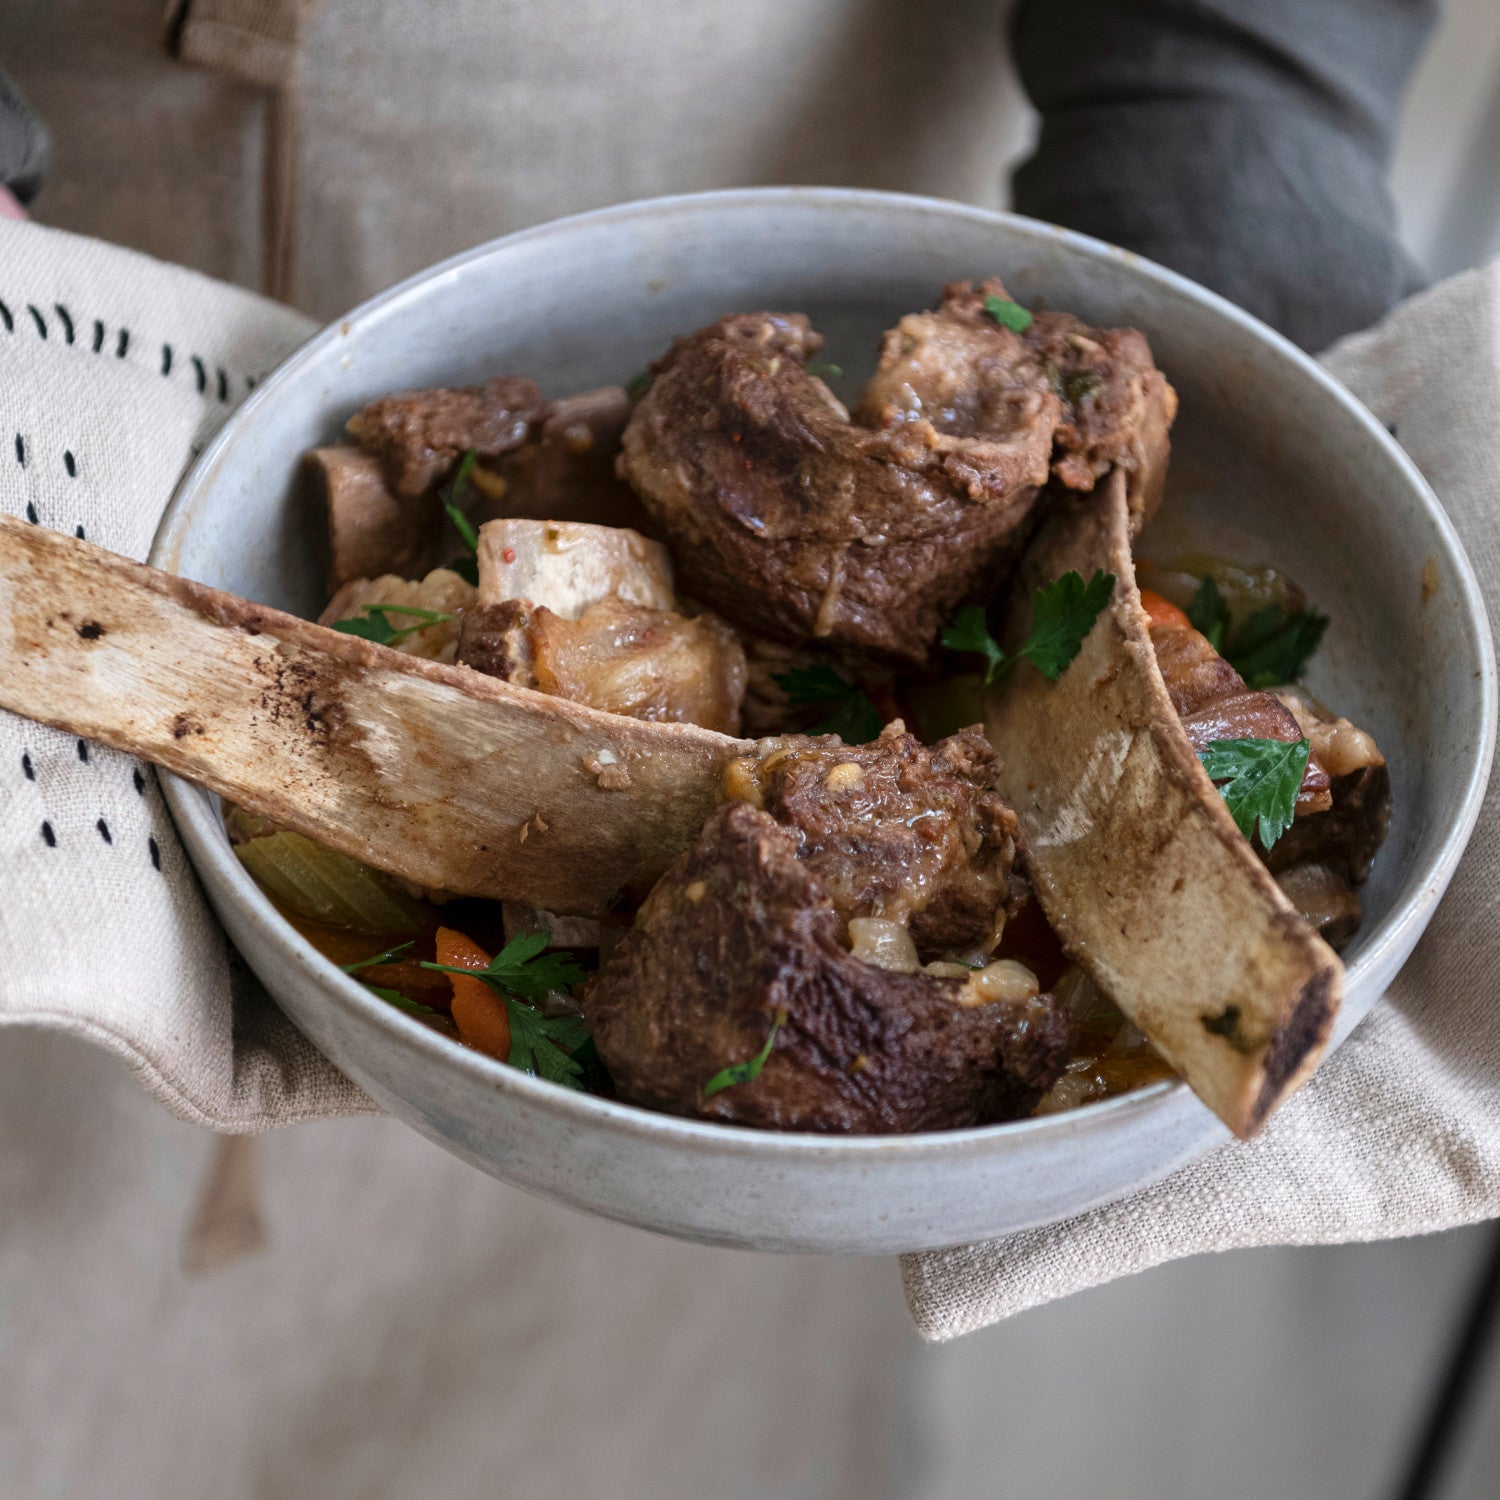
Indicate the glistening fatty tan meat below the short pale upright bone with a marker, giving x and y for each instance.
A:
(644, 664)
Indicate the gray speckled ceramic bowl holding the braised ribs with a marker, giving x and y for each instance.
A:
(1274, 463)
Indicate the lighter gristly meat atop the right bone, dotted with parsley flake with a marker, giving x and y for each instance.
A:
(965, 374)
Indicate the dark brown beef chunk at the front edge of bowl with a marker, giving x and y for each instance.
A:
(740, 932)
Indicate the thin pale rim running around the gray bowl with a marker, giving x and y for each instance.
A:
(208, 844)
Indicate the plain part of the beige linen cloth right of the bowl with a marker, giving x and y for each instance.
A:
(1399, 1133)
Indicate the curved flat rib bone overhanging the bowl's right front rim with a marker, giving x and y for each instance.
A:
(1136, 859)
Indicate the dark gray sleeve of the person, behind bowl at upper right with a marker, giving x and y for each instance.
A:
(1244, 143)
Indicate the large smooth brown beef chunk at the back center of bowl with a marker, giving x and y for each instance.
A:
(797, 524)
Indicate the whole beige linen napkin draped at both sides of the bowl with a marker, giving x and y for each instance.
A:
(115, 370)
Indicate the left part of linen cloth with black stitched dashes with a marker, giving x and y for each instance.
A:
(116, 370)
